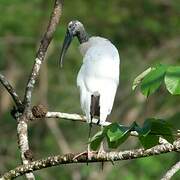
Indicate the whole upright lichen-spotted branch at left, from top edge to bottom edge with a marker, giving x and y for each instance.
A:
(22, 119)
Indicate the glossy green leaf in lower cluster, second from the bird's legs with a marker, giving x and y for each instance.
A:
(117, 134)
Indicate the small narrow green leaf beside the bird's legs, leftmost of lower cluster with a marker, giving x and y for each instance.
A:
(96, 140)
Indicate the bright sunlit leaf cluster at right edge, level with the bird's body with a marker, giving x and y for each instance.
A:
(156, 75)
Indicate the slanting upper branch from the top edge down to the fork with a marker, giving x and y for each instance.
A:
(40, 56)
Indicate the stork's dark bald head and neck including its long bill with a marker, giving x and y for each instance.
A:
(75, 28)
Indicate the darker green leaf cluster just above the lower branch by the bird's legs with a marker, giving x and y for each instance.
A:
(148, 134)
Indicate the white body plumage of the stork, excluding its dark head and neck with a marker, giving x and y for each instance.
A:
(99, 74)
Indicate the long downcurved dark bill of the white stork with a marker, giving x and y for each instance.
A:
(67, 41)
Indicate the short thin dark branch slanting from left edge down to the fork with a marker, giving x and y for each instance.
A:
(11, 90)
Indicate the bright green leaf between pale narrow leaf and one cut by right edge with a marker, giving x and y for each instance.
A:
(153, 80)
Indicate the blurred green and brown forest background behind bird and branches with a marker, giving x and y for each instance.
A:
(145, 32)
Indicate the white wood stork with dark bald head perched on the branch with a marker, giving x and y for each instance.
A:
(98, 77)
